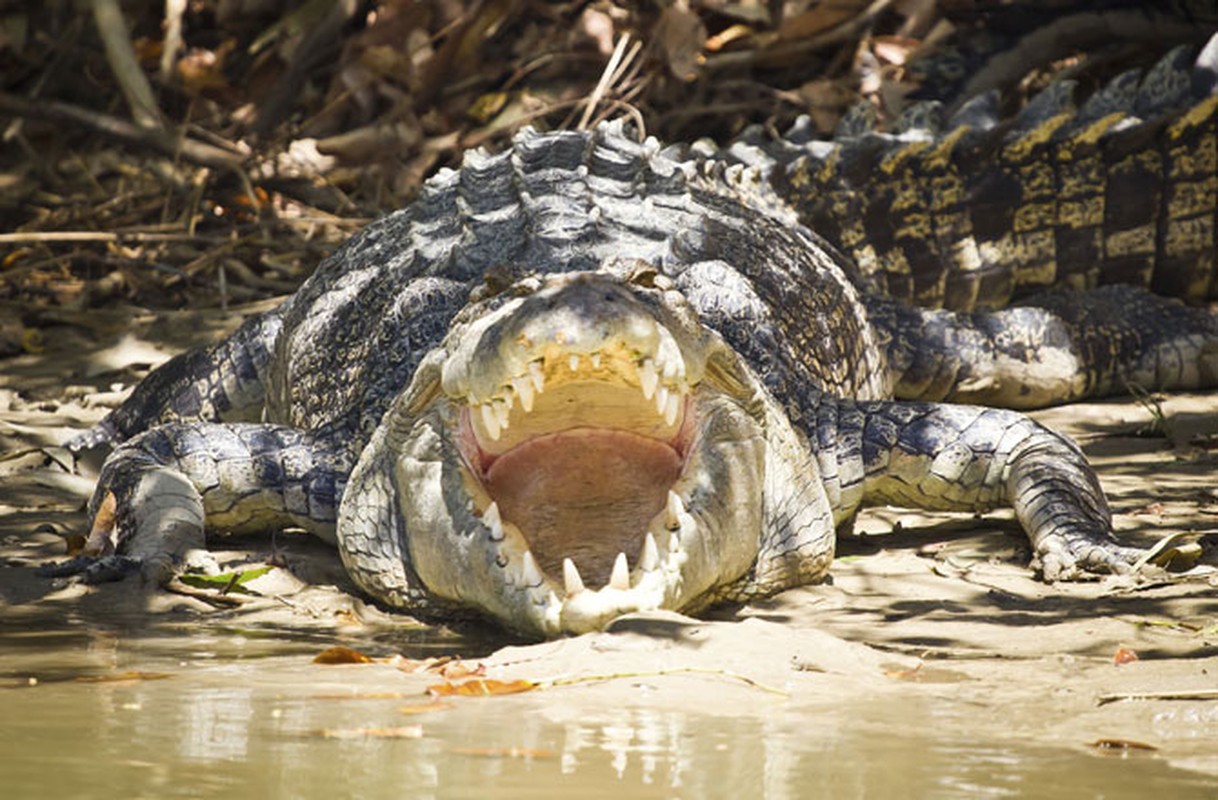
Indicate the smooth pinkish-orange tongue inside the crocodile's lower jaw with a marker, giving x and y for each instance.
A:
(586, 495)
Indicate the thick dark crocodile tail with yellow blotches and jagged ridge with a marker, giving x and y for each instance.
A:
(969, 212)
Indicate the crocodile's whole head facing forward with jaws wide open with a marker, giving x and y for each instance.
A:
(579, 447)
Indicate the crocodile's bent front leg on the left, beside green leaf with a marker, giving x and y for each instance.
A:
(161, 490)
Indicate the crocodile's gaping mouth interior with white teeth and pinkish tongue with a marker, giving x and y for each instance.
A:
(576, 465)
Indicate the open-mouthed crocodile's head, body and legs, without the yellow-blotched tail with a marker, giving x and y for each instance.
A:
(591, 376)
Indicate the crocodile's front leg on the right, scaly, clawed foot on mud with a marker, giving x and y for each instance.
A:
(968, 458)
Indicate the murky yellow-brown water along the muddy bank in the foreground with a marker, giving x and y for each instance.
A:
(248, 714)
